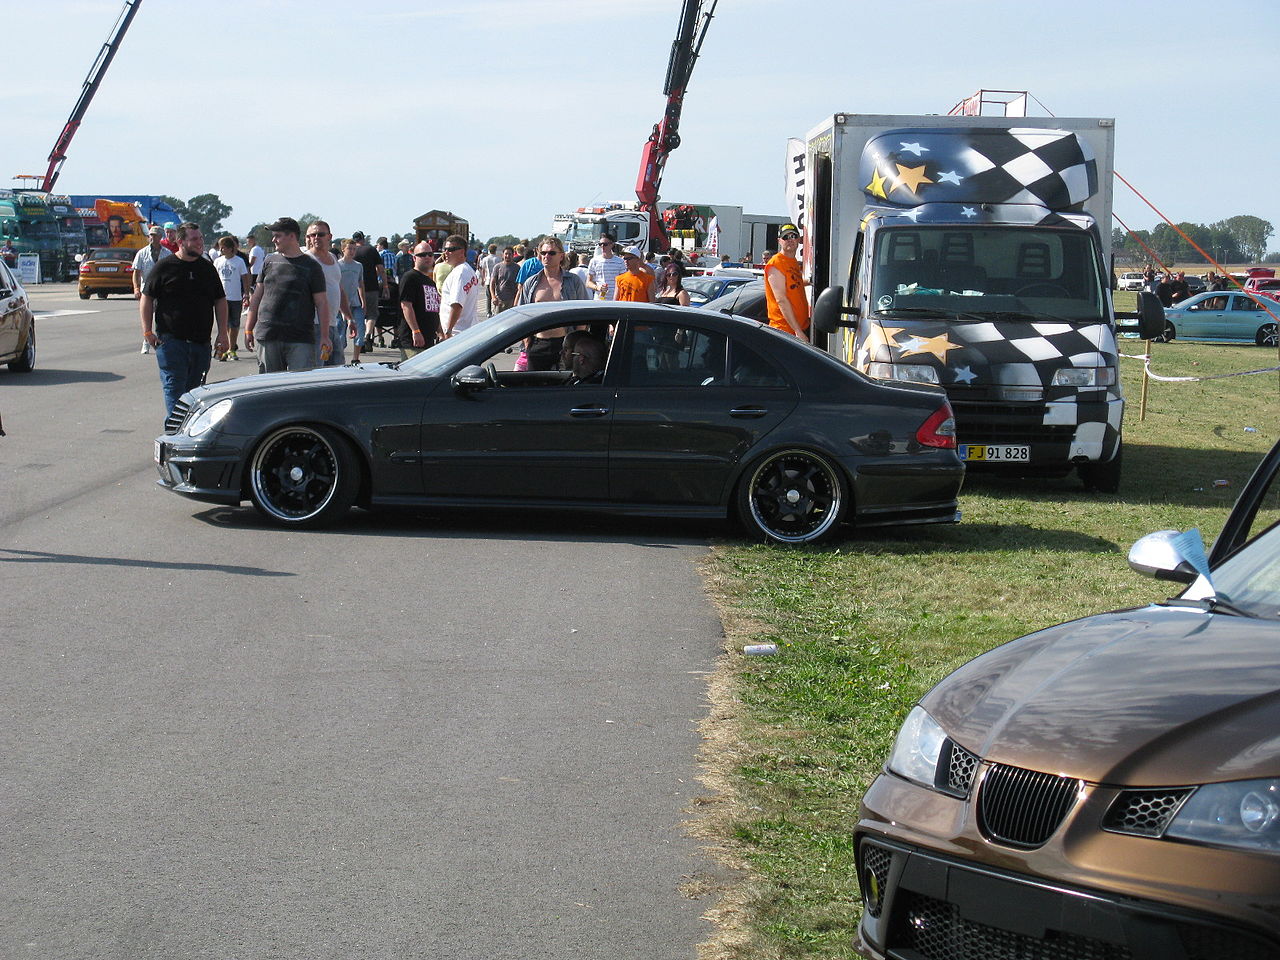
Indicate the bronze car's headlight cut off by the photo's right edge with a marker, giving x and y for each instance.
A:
(1245, 813)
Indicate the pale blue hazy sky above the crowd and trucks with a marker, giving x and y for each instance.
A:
(508, 112)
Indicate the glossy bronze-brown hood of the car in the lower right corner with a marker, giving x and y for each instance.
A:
(1140, 698)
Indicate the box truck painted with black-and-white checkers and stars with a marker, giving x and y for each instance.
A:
(973, 253)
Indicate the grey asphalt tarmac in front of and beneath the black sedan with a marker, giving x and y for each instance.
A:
(456, 737)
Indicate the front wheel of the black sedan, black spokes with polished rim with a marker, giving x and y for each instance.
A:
(304, 477)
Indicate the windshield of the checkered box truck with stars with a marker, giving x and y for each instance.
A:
(984, 272)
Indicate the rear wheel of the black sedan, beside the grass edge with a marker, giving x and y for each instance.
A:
(792, 497)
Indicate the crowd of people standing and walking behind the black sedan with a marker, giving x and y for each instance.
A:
(304, 308)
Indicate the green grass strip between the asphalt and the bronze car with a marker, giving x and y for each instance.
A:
(870, 623)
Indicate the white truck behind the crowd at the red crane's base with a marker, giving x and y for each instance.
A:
(707, 228)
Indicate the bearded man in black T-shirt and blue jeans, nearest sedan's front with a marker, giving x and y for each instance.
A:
(180, 305)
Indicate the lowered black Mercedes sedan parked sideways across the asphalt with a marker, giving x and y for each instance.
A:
(693, 415)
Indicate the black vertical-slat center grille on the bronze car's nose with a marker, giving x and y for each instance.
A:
(1023, 808)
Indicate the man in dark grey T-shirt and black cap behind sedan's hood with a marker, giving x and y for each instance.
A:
(289, 298)
